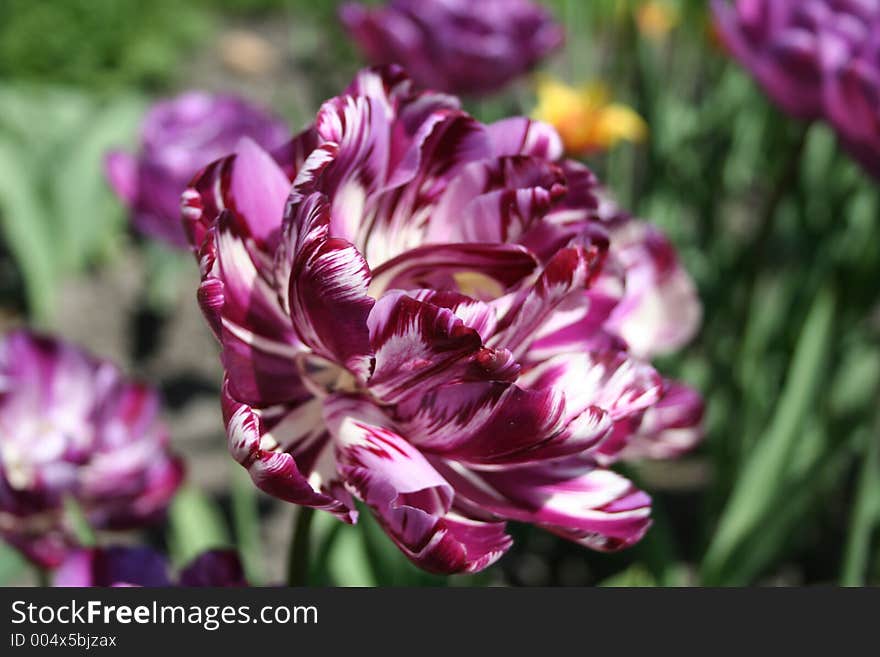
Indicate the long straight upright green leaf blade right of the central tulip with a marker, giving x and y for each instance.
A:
(763, 475)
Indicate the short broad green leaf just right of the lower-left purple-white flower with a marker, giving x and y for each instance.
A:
(195, 525)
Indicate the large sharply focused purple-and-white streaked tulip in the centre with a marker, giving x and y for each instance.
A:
(415, 310)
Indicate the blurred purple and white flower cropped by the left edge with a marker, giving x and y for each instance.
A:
(73, 427)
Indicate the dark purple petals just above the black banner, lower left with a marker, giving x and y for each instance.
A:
(141, 566)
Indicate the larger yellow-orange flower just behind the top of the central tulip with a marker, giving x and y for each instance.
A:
(585, 118)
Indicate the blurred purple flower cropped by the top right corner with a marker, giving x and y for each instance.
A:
(817, 59)
